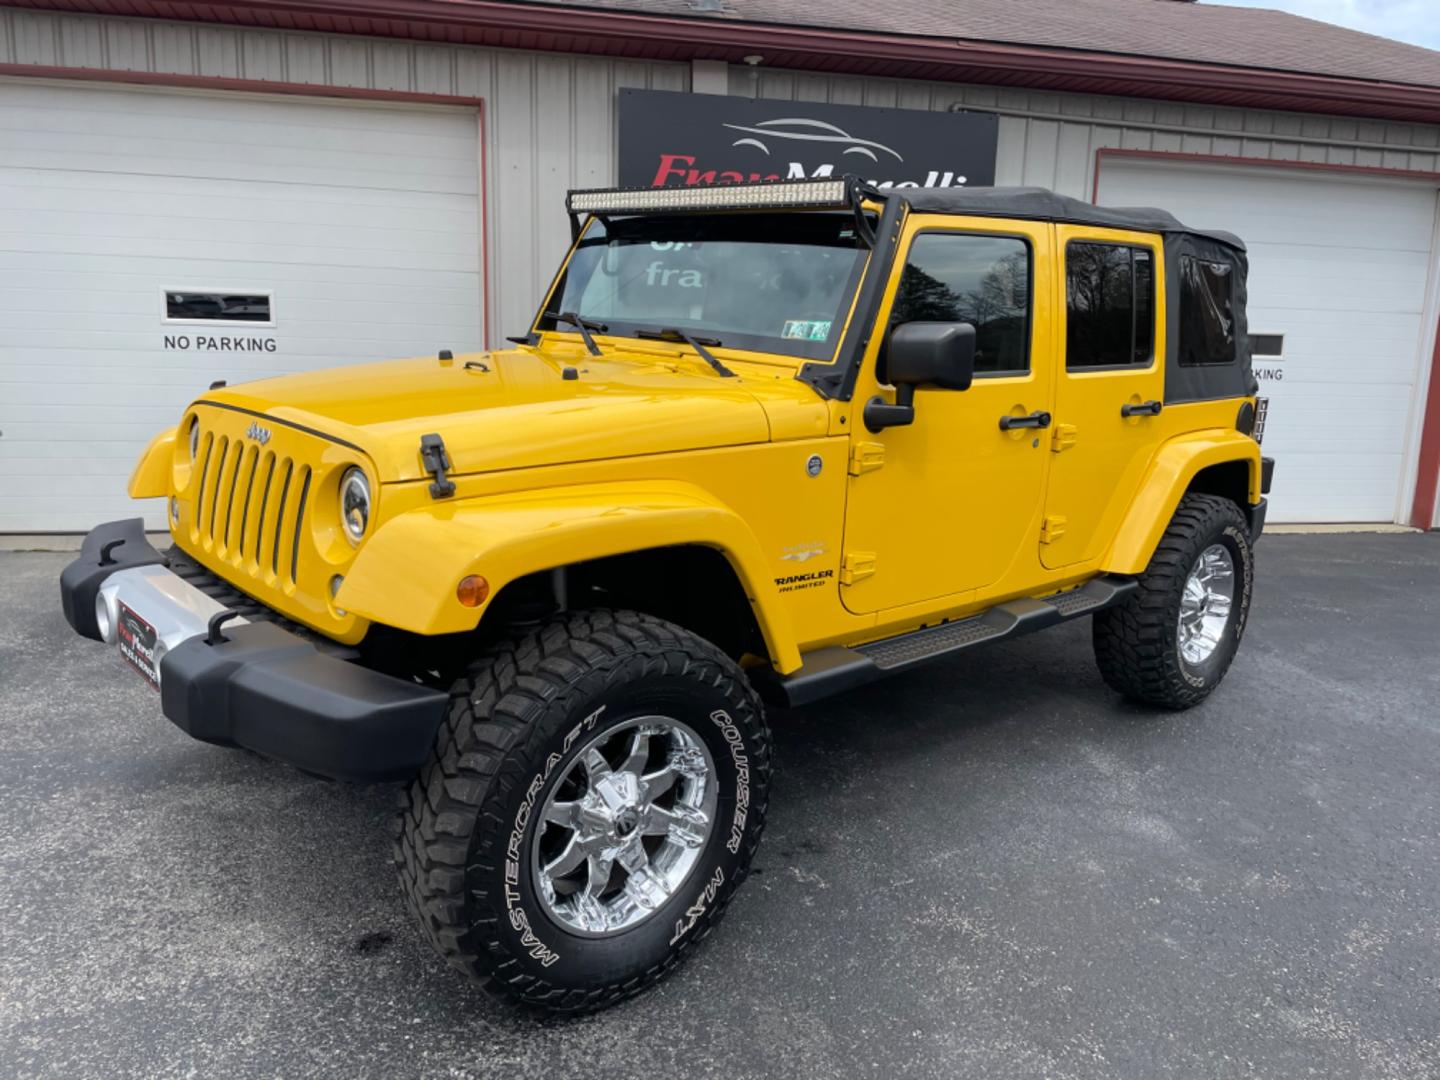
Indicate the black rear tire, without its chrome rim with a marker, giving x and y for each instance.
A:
(1137, 643)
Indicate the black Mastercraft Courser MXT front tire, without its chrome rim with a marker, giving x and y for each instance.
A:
(503, 739)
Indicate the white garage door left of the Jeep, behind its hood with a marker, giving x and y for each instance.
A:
(290, 234)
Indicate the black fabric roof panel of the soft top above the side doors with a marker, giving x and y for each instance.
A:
(1039, 204)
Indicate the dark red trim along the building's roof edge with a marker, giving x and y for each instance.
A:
(652, 37)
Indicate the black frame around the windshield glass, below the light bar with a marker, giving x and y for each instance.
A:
(820, 228)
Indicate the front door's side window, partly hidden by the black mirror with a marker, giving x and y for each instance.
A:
(977, 280)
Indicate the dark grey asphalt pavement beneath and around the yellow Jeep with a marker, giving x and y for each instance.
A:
(991, 869)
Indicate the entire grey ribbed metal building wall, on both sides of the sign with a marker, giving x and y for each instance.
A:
(551, 119)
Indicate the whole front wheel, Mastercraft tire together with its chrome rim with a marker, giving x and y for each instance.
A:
(595, 798)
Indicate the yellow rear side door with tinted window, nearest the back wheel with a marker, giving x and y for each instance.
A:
(1110, 388)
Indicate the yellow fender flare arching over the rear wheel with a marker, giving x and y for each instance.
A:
(1170, 476)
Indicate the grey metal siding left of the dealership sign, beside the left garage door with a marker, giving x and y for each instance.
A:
(549, 117)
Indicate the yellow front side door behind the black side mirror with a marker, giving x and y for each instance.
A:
(951, 503)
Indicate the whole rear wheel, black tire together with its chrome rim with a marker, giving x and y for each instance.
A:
(1173, 640)
